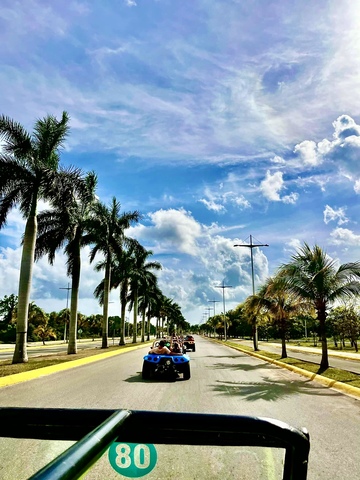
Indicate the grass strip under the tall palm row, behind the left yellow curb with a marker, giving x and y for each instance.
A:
(7, 368)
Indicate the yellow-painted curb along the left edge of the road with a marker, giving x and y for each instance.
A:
(41, 372)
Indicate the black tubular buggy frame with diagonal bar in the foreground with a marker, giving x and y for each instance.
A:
(96, 430)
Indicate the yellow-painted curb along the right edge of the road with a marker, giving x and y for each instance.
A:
(327, 382)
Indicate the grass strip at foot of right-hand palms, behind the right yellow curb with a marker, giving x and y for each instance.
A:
(336, 374)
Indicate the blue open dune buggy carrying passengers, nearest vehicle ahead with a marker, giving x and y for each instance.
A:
(166, 367)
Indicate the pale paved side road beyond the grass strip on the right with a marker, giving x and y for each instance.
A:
(344, 360)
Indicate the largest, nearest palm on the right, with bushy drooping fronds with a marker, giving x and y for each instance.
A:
(313, 275)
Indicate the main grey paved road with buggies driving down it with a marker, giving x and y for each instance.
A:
(223, 381)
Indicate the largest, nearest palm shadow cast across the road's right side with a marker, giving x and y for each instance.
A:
(270, 390)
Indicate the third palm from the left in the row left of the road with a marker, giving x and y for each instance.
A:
(107, 234)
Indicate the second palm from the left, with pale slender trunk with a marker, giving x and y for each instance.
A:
(66, 224)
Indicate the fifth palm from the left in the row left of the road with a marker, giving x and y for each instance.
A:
(137, 273)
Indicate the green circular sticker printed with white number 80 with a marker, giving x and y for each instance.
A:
(132, 460)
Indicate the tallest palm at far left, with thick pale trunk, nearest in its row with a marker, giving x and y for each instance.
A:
(29, 168)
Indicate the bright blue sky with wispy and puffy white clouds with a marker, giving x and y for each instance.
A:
(216, 120)
